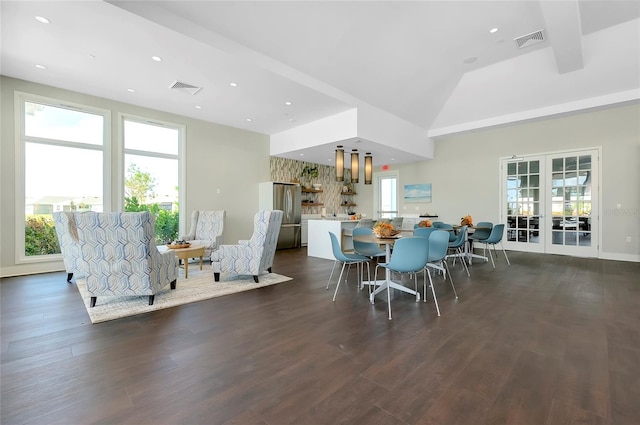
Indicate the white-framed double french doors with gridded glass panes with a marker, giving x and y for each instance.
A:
(550, 203)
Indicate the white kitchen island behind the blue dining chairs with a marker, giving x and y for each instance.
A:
(319, 242)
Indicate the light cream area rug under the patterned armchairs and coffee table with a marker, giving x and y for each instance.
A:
(199, 286)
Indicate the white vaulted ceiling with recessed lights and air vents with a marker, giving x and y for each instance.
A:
(431, 64)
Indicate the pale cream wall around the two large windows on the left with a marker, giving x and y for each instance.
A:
(217, 157)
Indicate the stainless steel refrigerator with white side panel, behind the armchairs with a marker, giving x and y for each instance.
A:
(286, 197)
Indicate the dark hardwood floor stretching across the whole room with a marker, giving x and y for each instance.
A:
(547, 340)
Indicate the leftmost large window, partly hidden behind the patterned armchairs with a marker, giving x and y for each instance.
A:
(63, 150)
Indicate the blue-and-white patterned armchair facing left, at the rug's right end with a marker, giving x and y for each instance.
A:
(253, 256)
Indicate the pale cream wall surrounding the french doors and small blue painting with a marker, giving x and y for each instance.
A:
(465, 171)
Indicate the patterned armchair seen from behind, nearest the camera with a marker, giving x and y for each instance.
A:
(120, 257)
